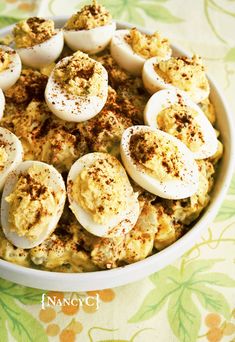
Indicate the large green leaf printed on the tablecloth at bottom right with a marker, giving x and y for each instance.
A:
(175, 288)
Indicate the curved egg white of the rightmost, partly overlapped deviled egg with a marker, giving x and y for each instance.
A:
(166, 98)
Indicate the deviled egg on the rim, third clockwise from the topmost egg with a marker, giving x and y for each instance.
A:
(186, 74)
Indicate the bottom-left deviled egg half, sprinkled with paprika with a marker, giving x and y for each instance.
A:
(54, 182)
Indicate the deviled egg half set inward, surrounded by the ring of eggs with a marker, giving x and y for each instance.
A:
(72, 107)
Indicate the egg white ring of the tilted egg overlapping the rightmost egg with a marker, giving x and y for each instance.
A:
(170, 189)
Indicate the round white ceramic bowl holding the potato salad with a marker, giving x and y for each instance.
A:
(123, 275)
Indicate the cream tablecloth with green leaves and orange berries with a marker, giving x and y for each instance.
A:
(190, 300)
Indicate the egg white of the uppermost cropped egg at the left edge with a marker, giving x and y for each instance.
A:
(9, 76)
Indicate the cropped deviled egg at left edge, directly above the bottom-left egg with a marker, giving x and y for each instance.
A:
(11, 153)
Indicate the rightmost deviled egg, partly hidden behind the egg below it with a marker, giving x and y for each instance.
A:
(175, 113)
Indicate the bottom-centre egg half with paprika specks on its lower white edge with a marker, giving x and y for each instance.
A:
(121, 221)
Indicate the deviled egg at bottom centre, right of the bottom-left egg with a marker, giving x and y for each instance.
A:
(101, 196)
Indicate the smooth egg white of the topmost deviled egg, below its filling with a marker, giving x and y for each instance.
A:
(90, 41)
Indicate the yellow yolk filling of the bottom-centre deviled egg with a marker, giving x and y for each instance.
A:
(99, 189)
